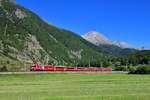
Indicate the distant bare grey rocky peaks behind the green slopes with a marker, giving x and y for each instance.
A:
(98, 38)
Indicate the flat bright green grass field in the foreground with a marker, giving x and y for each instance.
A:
(75, 86)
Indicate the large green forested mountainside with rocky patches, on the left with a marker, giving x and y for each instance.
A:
(25, 39)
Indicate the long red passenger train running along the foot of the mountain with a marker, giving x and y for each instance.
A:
(63, 68)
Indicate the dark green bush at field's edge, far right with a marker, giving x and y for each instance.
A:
(141, 70)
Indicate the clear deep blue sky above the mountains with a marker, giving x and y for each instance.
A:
(125, 20)
